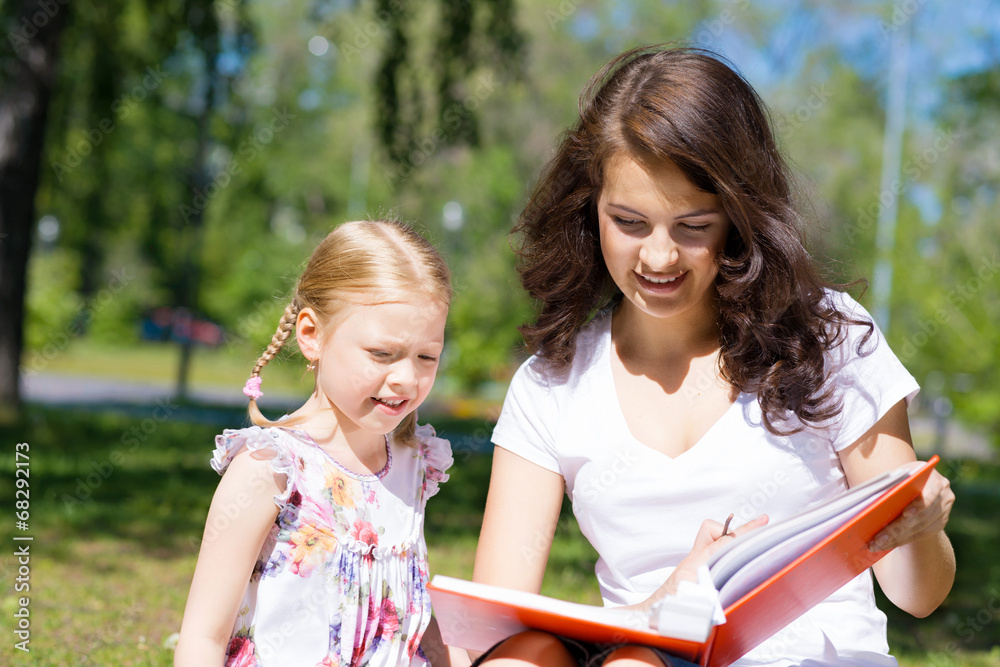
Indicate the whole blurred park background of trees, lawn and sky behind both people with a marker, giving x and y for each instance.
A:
(166, 167)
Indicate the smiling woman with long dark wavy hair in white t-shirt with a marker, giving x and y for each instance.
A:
(719, 374)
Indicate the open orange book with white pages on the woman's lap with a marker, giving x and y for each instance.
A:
(763, 581)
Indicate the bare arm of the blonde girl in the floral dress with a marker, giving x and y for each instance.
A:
(239, 520)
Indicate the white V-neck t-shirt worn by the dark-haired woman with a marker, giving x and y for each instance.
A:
(641, 509)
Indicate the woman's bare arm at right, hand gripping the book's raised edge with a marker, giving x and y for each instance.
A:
(918, 573)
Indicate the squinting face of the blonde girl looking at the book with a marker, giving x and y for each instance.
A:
(379, 364)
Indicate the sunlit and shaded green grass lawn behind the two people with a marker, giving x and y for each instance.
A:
(116, 522)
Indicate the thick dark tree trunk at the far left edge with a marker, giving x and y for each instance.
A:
(24, 106)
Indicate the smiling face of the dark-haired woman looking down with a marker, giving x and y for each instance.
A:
(659, 237)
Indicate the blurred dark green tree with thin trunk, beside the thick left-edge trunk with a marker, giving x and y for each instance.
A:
(131, 140)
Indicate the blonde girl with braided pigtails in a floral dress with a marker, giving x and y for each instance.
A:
(314, 552)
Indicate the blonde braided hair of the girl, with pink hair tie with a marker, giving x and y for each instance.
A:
(360, 263)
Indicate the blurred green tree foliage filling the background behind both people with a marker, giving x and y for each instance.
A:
(415, 105)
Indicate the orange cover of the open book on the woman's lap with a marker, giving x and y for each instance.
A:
(476, 616)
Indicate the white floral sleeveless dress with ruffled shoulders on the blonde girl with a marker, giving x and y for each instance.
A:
(341, 578)
